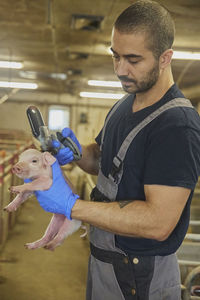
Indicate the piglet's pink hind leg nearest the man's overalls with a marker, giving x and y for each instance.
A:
(67, 228)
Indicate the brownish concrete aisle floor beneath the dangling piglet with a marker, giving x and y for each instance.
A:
(41, 274)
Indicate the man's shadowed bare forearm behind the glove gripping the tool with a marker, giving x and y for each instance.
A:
(90, 159)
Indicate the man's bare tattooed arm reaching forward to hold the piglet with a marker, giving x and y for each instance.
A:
(154, 218)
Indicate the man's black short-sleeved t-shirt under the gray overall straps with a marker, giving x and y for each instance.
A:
(165, 152)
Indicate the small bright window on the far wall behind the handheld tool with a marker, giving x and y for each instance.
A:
(59, 117)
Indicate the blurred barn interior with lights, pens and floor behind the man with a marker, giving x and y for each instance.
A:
(60, 48)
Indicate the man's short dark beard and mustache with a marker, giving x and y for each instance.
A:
(145, 84)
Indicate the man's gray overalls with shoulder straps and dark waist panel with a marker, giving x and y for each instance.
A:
(112, 274)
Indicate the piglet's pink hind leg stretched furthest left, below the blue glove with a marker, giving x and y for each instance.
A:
(51, 231)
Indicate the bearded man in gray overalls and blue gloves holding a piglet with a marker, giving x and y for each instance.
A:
(140, 209)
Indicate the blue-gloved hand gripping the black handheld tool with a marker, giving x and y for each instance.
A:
(65, 155)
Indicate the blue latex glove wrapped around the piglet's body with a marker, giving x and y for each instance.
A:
(59, 198)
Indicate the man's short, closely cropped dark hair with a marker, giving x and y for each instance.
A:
(151, 18)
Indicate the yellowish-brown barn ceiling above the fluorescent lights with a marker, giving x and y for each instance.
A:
(64, 43)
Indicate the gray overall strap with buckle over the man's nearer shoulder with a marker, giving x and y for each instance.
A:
(119, 158)
